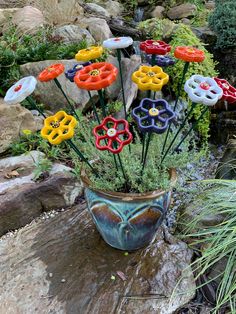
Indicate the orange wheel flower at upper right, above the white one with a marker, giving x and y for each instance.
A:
(189, 54)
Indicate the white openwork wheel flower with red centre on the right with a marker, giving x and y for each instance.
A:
(203, 90)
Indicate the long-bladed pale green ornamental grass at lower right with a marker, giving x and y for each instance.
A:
(218, 242)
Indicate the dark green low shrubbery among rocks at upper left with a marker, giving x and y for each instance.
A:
(16, 50)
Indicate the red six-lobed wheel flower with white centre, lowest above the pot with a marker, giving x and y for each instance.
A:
(112, 135)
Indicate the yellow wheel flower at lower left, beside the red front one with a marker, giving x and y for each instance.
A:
(58, 128)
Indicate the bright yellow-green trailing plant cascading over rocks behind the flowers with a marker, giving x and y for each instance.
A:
(183, 36)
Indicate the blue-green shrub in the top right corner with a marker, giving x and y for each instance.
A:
(223, 22)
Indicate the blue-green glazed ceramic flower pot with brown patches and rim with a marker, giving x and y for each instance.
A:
(127, 221)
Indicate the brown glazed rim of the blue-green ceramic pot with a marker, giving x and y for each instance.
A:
(131, 196)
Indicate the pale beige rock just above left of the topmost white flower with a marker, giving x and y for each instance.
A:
(97, 27)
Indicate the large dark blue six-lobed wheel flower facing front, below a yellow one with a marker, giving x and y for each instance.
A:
(153, 115)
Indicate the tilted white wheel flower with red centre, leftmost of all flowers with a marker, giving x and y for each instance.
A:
(20, 90)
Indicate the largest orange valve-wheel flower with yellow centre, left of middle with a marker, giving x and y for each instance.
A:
(96, 76)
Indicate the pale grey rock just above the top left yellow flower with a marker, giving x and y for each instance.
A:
(73, 33)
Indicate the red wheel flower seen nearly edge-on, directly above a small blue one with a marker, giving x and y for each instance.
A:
(155, 47)
